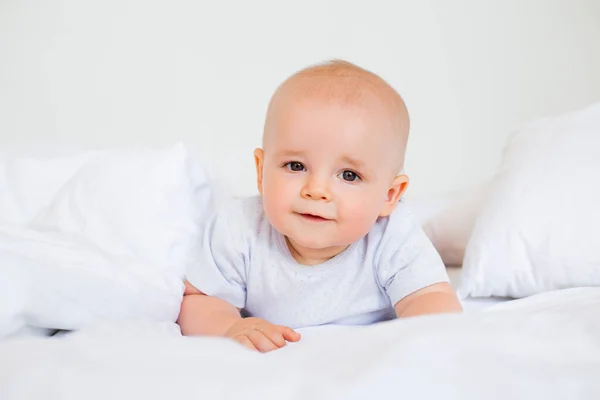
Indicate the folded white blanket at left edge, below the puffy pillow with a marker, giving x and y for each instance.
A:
(53, 280)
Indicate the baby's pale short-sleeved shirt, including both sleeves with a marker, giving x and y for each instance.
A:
(246, 262)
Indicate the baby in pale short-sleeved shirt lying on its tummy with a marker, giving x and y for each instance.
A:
(329, 240)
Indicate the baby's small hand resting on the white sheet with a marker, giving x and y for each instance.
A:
(261, 335)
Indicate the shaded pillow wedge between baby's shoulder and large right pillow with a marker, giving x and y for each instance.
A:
(448, 220)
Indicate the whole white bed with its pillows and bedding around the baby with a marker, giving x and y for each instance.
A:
(96, 244)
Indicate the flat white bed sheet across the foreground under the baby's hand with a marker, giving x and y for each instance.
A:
(544, 347)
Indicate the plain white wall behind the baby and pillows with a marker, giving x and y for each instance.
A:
(153, 72)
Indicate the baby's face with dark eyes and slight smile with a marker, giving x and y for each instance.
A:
(327, 171)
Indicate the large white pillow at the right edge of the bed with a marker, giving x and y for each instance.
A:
(539, 227)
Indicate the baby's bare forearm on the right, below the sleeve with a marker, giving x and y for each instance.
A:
(434, 299)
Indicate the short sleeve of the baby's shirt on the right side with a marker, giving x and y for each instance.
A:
(409, 261)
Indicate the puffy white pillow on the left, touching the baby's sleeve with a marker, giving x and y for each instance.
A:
(146, 203)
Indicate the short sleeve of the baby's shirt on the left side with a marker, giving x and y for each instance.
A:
(220, 270)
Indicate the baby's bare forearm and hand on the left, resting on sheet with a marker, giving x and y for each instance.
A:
(210, 316)
